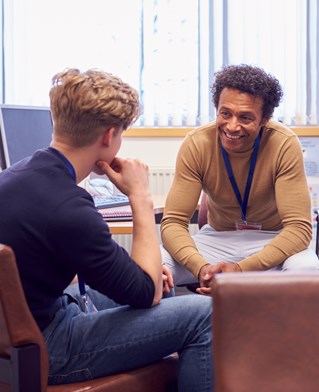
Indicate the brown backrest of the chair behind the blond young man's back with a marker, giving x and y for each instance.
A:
(22, 347)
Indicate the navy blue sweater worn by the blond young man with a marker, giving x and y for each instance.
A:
(56, 232)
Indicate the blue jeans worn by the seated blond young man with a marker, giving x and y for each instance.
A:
(83, 346)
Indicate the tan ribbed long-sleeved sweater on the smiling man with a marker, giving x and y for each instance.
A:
(279, 196)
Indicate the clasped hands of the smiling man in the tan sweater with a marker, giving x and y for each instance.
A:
(208, 272)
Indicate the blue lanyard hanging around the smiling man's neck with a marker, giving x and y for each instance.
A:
(253, 160)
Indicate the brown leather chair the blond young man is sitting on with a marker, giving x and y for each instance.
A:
(23, 354)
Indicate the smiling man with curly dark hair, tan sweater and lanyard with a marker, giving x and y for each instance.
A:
(251, 169)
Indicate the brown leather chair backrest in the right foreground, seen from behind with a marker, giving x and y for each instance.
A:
(266, 331)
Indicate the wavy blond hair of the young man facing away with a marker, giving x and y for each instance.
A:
(84, 104)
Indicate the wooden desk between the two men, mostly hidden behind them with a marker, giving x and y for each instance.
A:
(126, 227)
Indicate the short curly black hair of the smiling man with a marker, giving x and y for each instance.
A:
(249, 79)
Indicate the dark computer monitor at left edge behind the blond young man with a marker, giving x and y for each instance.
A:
(23, 130)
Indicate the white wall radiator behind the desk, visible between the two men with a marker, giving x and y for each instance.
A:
(160, 179)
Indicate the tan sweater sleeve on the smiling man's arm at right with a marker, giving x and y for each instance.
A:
(294, 208)
